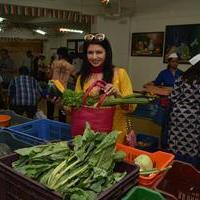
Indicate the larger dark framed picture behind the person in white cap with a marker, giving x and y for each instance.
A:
(182, 39)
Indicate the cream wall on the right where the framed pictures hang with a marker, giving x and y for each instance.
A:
(154, 17)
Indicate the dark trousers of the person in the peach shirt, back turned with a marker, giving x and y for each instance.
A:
(50, 112)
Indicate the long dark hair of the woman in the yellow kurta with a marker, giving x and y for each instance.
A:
(108, 71)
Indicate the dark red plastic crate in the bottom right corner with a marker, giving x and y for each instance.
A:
(181, 182)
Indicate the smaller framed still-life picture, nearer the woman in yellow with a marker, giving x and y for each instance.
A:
(147, 44)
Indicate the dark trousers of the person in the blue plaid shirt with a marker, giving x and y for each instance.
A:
(29, 110)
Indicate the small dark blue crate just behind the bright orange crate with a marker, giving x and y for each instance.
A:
(150, 143)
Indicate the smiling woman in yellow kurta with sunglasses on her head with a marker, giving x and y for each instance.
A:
(97, 65)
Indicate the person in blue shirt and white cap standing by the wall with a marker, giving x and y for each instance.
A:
(163, 86)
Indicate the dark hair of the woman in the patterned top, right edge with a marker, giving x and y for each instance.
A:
(192, 74)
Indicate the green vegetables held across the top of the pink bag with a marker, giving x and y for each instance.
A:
(74, 99)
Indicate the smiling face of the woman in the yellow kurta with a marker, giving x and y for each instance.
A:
(96, 55)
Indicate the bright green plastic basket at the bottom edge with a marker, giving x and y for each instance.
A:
(142, 193)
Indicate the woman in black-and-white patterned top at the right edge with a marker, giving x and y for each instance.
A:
(184, 124)
